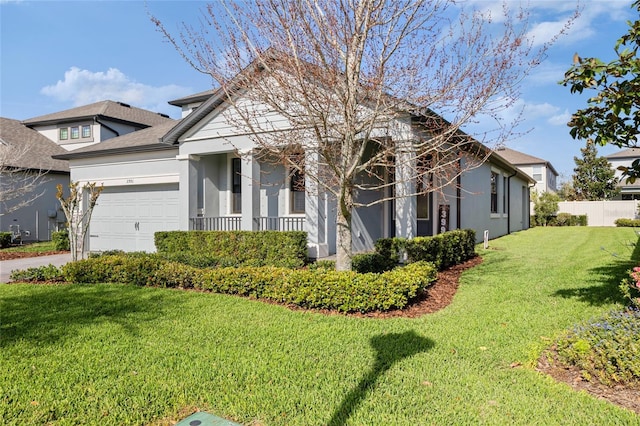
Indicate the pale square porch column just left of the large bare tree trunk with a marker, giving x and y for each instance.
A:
(315, 209)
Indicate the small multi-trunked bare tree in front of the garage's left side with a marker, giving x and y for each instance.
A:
(78, 207)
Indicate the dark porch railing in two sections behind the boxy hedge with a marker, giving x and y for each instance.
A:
(234, 223)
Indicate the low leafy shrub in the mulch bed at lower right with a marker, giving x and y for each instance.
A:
(605, 349)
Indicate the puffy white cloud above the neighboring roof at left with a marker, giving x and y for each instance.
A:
(82, 87)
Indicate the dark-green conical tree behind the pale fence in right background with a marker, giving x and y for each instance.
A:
(593, 177)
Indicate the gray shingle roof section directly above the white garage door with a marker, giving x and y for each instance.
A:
(142, 140)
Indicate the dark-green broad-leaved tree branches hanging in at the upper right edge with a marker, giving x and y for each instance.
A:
(612, 115)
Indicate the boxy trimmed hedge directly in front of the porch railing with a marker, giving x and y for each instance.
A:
(246, 248)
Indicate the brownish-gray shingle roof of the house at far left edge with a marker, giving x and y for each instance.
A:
(25, 148)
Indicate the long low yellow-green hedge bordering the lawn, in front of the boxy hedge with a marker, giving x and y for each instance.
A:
(319, 288)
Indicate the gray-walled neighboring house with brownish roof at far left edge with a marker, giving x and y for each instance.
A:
(26, 160)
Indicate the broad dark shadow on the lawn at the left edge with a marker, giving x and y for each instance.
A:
(49, 314)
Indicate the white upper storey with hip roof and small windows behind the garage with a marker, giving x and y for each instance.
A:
(86, 125)
